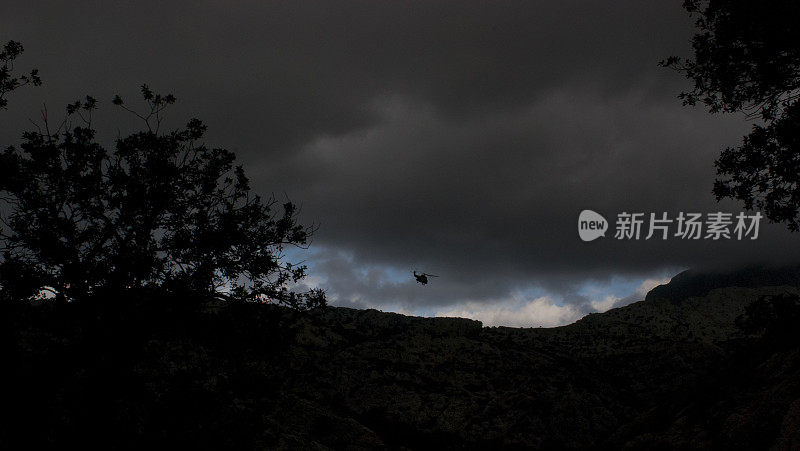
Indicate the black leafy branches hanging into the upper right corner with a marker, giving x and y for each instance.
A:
(747, 58)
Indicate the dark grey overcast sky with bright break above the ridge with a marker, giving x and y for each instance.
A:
(456, 138)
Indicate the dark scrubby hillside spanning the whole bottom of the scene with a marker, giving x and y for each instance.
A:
(695, 372)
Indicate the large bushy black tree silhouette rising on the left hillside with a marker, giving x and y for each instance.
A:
(162, 211)
